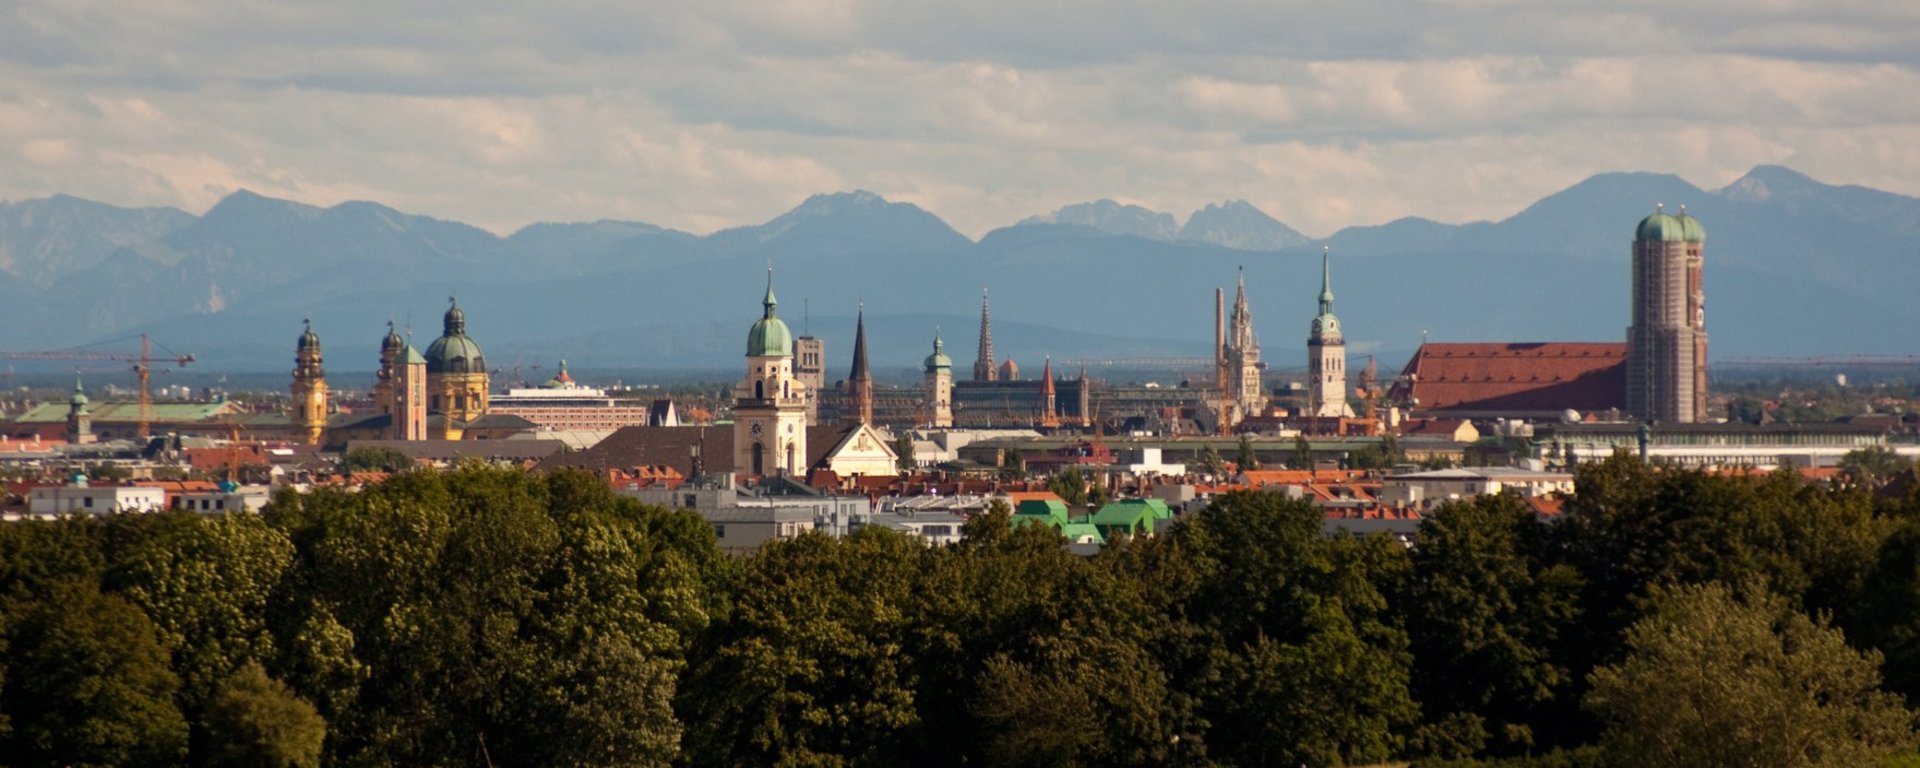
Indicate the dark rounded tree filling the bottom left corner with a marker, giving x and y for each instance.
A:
(89, 684)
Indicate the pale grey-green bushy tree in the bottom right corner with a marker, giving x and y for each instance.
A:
(1723, 681)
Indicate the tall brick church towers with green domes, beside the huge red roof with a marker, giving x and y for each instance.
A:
(1668, 339)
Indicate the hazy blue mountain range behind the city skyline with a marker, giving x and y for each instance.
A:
(1794, 268)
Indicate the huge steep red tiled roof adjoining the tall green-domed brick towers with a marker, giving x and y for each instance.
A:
(1516, 377)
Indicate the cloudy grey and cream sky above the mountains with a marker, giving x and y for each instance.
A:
(713, 114)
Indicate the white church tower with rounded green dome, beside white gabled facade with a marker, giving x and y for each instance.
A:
(771, 402)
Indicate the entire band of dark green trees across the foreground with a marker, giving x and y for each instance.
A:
(492, 617)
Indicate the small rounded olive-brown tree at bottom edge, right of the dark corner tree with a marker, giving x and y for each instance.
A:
(256, 721)
